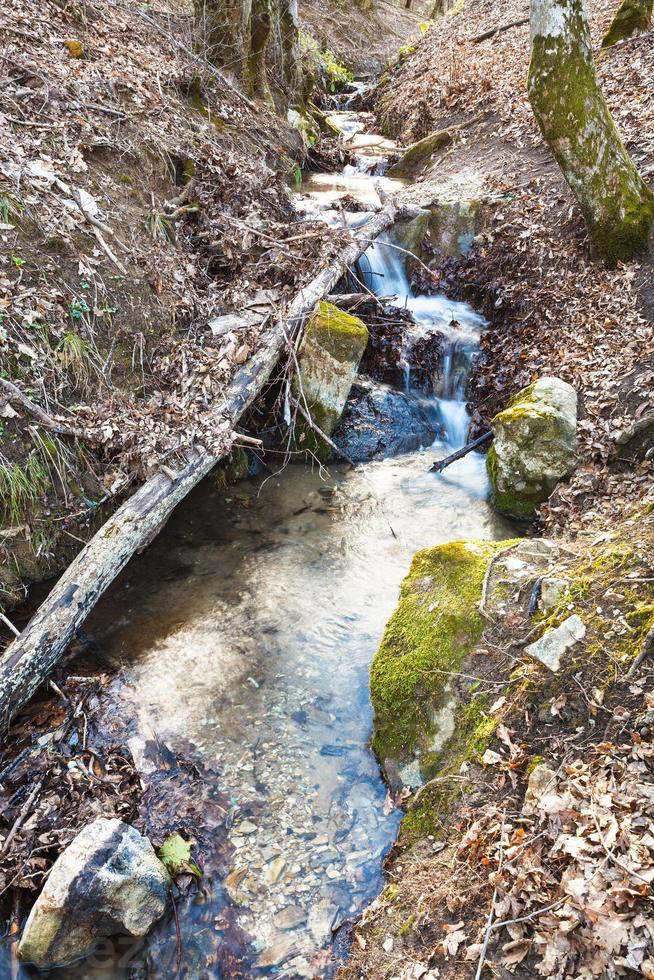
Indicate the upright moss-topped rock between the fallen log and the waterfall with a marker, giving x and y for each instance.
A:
(328, 359)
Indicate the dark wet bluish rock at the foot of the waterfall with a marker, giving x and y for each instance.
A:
(380, 421)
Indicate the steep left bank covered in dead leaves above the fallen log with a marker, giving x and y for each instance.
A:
(139, 198)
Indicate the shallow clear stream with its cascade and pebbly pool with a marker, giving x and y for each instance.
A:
(244, 636)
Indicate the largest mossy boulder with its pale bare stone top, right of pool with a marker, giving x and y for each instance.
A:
(431, 715)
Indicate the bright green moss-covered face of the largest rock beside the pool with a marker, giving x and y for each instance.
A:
(435, 625)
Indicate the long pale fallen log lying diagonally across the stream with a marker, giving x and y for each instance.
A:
(41, 645)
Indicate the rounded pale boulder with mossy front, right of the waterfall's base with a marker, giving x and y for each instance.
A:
(534, 447)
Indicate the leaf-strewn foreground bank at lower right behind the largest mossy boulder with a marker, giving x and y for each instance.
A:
(541, 843)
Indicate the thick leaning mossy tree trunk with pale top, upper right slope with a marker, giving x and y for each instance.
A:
(574, 119)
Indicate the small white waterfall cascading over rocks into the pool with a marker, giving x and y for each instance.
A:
(384, 272)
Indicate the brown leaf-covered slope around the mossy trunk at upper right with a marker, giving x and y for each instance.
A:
(552, 310)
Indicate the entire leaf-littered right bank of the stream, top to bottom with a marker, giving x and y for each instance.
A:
(554, 876)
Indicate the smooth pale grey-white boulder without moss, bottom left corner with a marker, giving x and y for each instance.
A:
(107, 881)
